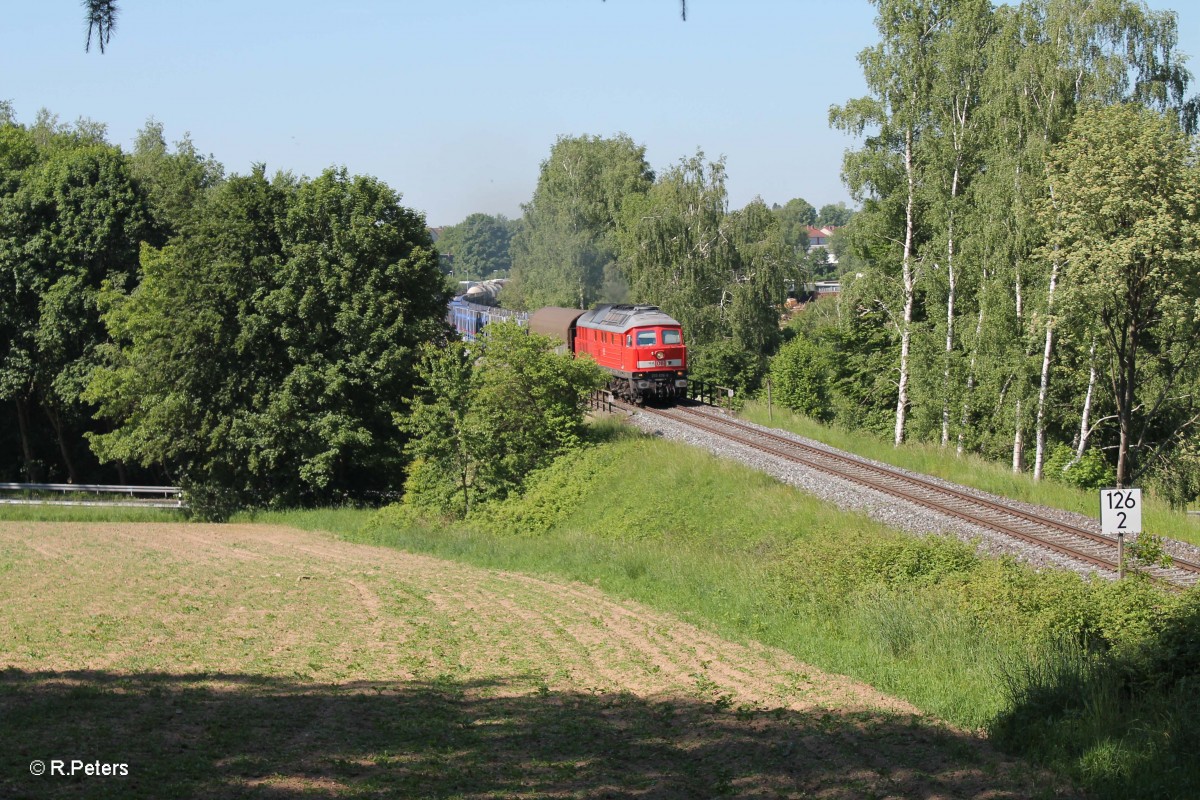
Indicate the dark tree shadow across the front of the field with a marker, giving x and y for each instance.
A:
(225, 736)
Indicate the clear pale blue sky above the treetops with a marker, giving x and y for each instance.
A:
(457, 103)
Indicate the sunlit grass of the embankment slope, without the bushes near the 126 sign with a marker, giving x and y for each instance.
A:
(739, 554)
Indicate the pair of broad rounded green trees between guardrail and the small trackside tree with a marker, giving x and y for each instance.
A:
(262, 357)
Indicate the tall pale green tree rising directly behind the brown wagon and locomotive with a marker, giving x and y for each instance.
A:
(566, 251)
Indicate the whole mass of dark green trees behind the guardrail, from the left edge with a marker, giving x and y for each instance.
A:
(247, 338)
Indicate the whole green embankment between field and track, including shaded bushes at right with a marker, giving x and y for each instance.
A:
(1071, 671)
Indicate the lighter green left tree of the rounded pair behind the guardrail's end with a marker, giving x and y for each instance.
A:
(193, 358)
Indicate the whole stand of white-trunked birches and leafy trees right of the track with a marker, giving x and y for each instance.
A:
(998, 285)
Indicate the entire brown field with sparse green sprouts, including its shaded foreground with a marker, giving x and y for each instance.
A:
(262, 661)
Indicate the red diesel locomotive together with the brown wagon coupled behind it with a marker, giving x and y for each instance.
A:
(641, 347)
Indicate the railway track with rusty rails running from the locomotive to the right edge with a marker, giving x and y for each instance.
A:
(1076, 543)
